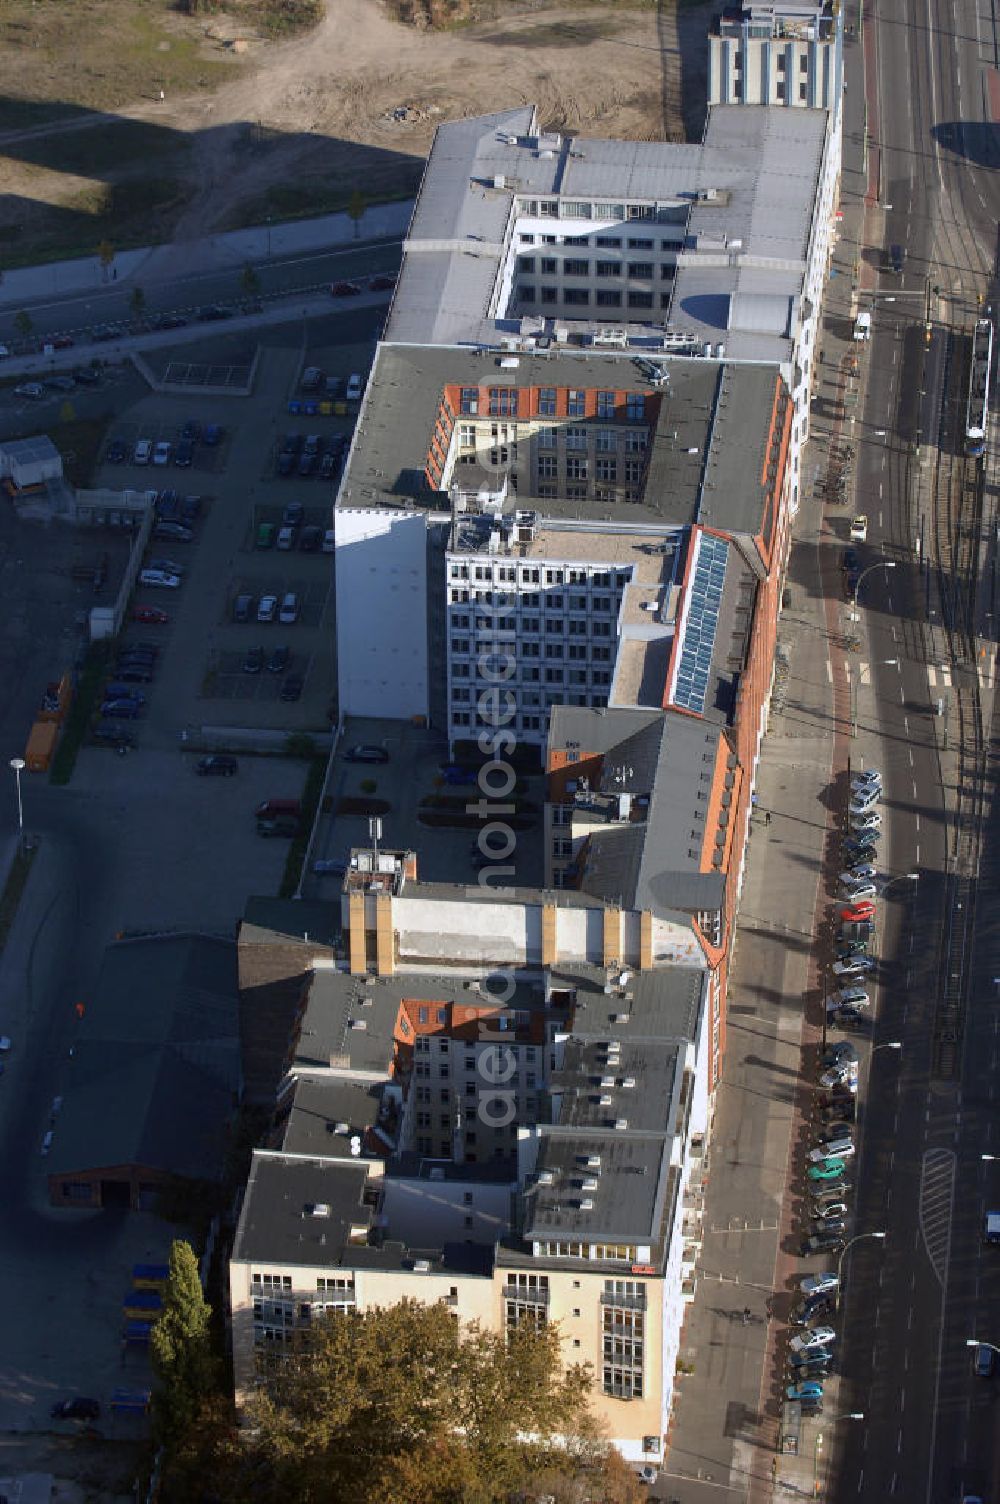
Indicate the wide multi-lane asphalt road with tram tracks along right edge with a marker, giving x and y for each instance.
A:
(930, 1428)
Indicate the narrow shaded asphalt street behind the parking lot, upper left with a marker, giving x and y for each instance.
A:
(308, 271)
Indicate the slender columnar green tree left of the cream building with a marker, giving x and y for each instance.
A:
(181, 1348)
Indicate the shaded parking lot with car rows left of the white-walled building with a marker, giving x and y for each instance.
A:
(234, 499)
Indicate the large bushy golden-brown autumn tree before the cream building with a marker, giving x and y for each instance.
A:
(402, 1405)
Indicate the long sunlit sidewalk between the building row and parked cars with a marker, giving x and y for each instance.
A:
(727, 1422)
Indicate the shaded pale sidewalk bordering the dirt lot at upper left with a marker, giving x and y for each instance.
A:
(157, 264)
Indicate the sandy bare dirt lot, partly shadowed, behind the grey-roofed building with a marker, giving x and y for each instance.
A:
(353, 106)
